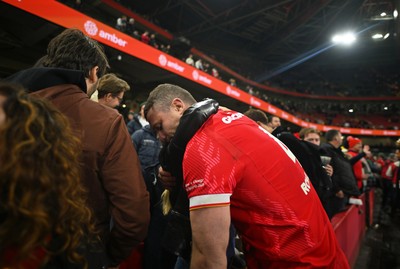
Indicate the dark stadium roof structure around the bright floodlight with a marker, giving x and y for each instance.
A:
(275, 40)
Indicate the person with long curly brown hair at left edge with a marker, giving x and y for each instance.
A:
(44, 219)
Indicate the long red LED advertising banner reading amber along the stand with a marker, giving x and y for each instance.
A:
(60, 14)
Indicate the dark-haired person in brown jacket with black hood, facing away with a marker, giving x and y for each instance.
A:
(110, 166)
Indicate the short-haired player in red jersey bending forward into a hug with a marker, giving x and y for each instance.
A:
(233, 170)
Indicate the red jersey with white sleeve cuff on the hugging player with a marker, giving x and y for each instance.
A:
(232, 161)
